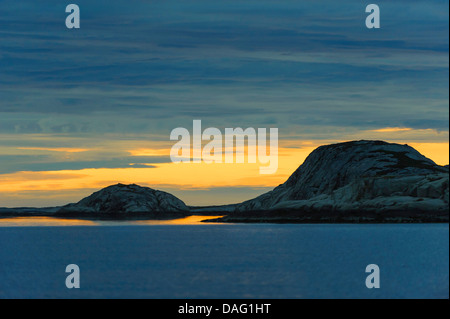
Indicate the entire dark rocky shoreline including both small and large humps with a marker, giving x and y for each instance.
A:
(351, 182)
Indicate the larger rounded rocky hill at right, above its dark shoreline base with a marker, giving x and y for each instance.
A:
(364, 176)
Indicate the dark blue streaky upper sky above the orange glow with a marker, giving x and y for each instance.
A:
(290, 62)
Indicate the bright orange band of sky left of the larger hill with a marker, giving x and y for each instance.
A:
(182, 175)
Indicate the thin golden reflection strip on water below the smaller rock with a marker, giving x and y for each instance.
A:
(53, 221)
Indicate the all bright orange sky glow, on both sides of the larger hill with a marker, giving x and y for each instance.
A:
(182, 176)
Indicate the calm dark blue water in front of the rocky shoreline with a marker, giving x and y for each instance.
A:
(192, 260)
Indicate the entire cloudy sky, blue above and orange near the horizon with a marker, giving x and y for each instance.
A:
(81, 109)
